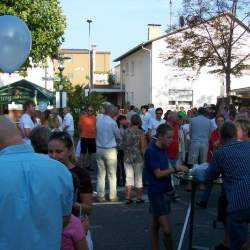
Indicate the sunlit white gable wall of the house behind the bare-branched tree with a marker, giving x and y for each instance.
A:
(206, 87)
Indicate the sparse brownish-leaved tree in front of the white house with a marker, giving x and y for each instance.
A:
(217, 31)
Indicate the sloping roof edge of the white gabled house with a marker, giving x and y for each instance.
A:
(139, 47)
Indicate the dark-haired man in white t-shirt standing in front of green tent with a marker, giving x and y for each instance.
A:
(26, 123)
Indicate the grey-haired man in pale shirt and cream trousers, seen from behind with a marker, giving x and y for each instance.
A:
(107, 133)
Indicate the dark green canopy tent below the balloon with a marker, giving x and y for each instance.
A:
(21, 91)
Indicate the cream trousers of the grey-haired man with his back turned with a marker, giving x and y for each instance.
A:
(106, 162)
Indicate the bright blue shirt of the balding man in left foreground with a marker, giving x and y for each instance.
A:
(35, 193)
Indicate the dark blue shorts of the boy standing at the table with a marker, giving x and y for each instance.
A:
(160, 204)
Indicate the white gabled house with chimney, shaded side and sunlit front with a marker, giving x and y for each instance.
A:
(148, 78)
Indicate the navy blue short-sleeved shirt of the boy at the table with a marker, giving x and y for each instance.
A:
(156, 158)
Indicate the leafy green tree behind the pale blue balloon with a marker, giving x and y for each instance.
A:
(45, 21)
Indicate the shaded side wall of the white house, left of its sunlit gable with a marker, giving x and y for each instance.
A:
(135, 75)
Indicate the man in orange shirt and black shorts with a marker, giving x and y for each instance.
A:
(87, 131)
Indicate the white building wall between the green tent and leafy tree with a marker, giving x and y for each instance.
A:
(34, 75)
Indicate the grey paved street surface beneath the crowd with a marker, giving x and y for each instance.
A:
(123, 227)
